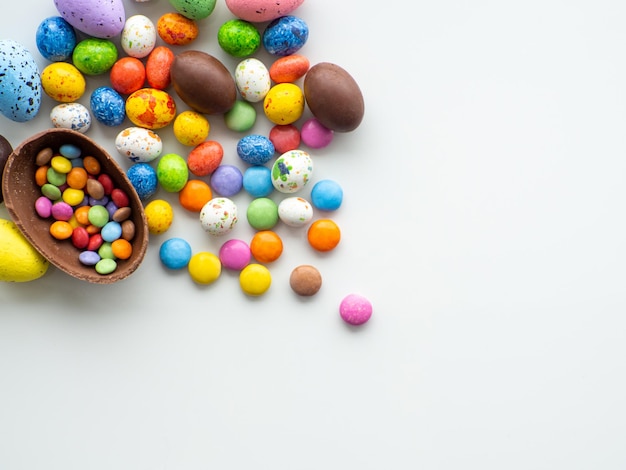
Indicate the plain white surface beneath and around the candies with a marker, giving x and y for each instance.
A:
(483, 217)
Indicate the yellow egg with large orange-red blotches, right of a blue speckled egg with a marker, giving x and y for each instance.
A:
(150, 108)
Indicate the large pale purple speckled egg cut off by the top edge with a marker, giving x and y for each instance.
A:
(97, 18)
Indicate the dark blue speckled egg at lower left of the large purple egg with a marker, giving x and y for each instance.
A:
(56, 39)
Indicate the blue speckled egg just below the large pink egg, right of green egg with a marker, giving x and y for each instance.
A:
(285, 35)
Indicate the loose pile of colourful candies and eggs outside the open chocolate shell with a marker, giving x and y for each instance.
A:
(141, 81)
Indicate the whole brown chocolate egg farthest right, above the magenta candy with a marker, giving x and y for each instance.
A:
(334, 97)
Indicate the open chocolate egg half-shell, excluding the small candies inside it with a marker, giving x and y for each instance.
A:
(20, 192)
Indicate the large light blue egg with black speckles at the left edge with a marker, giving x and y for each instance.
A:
(20, 86)
